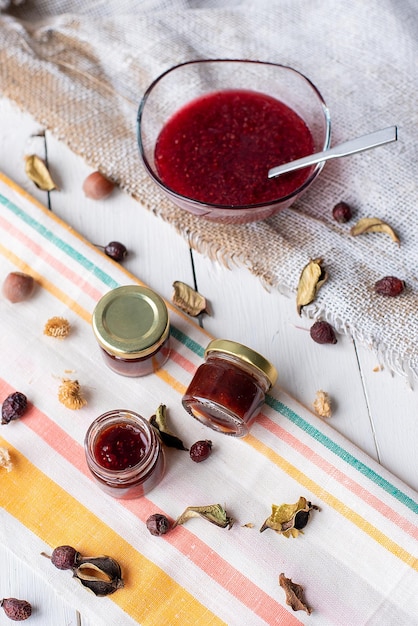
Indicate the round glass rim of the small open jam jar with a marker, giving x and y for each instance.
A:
(123, 475)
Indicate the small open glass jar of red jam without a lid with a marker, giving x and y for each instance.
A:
(124, 454)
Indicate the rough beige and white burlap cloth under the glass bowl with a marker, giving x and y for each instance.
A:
(81, 69)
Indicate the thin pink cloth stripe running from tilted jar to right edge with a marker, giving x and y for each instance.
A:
(337, 474)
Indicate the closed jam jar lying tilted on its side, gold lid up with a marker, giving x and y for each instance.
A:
(228, 390)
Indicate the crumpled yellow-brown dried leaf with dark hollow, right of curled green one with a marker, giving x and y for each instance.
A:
(289, 519)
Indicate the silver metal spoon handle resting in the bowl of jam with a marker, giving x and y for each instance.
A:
(366, 142)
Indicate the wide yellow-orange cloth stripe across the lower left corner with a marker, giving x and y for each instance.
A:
(57, 518)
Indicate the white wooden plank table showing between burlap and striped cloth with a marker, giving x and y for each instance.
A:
(372, 408)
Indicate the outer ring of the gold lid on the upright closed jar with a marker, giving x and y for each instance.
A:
(105, 340)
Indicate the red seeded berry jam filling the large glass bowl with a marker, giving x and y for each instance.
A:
(218, 148)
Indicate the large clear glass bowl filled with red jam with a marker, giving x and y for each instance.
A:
(177, 92)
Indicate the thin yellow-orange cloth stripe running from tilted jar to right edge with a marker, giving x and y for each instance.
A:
(335, 503)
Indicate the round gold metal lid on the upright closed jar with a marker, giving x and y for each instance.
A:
(131, 321)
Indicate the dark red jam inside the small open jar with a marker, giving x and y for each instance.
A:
(119, 447)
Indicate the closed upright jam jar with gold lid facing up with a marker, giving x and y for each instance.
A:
(132, 328)
